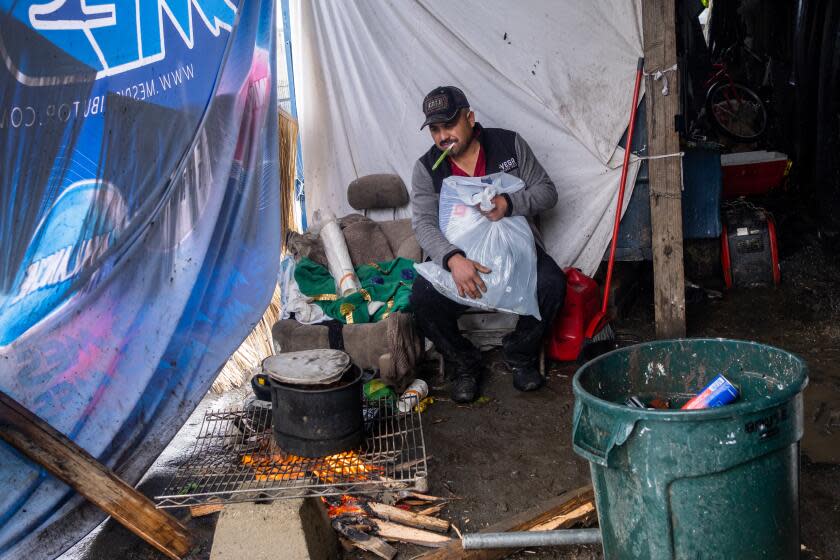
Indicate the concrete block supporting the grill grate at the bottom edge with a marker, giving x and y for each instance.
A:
(289, 529)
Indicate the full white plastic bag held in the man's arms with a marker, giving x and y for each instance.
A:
(506, 247)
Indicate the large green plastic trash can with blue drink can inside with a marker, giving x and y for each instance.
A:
(716, 483)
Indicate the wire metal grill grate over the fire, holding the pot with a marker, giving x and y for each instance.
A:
(235, 459)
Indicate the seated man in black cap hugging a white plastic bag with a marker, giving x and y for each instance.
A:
(476, 151)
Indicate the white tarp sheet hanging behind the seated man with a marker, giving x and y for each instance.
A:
(559, 72)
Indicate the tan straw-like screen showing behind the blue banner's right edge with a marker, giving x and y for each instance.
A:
(259, 344)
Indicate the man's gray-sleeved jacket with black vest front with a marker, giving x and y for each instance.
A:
(504, 150)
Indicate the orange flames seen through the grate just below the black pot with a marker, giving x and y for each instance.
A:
(330, 469)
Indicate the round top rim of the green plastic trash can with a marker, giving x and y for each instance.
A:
(733, 410)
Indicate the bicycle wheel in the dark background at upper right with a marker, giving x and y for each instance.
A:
(737, 111)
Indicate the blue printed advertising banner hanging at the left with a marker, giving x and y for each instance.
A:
(139, 238)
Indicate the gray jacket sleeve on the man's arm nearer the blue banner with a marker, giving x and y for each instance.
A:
(424, 218)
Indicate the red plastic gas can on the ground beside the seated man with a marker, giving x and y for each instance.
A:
(583, 302)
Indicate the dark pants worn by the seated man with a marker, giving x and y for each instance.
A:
(437, 316)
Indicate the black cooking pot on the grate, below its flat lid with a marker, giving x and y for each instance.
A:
(317, 420)
